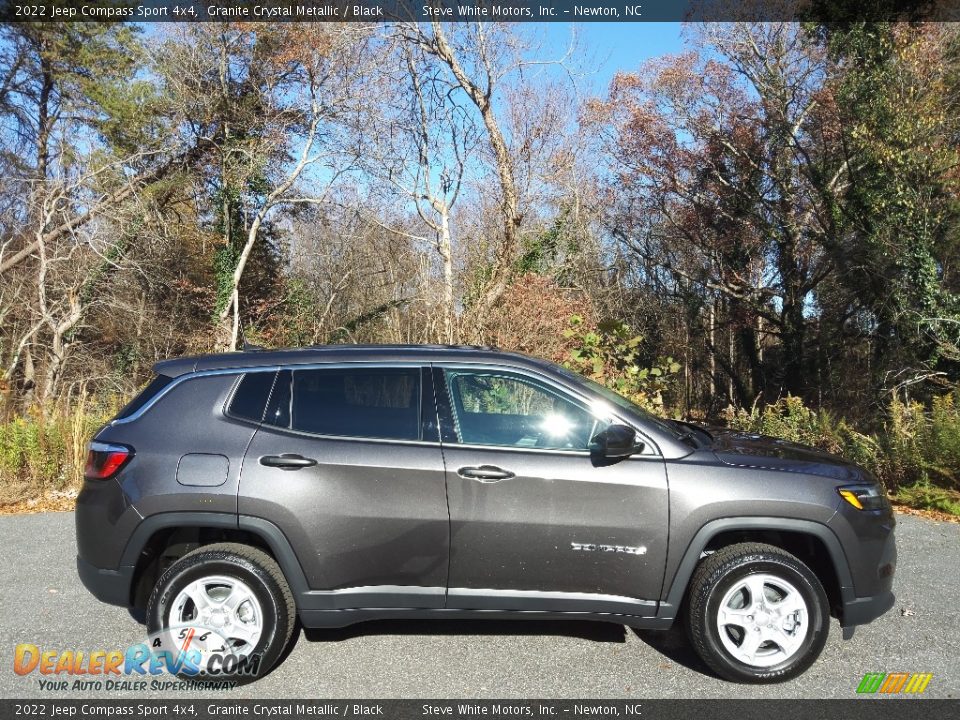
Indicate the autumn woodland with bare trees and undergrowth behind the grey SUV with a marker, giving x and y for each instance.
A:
(761, 230)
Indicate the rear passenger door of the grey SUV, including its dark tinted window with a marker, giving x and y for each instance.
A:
(347, 463)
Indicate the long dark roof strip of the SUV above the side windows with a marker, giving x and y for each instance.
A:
(175, 367)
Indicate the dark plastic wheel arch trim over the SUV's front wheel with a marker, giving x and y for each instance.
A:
(833, 571)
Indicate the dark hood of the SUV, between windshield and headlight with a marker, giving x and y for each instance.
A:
(741, 449)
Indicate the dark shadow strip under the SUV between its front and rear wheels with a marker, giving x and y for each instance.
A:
(583, 629)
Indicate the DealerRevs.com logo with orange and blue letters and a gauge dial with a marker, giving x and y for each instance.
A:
(195, 655)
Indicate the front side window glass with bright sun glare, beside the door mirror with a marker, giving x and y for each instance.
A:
(507, 410)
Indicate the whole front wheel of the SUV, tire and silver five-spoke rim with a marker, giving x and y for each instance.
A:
(771, 643)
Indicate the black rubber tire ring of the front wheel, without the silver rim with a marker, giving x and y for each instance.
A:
(817, 619)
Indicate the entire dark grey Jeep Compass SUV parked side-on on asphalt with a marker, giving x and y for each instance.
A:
(339, 484)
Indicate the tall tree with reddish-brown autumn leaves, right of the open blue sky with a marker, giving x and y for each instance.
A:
(718, 187)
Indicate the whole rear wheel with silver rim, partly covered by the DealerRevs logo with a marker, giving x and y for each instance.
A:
(236, 592)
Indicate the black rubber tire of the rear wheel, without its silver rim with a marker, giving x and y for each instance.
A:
(190, 569)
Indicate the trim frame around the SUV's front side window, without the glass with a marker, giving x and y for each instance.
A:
(650, 449)
